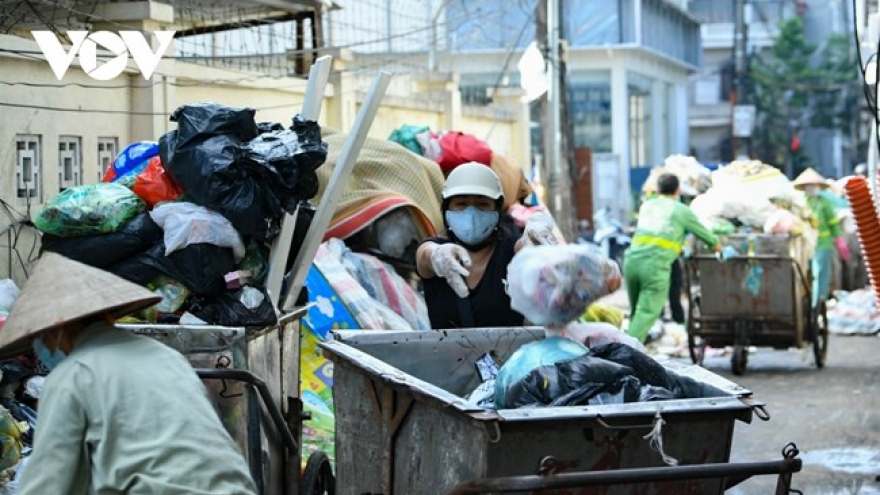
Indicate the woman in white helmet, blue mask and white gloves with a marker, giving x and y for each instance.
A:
(464, 272)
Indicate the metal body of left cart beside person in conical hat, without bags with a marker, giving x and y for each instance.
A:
(252, 377)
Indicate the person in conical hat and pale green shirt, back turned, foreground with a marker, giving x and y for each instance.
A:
(119, 412)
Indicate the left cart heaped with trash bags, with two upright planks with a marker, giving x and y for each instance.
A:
(215, 218)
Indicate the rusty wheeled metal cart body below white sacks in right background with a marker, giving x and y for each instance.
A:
(773, 309)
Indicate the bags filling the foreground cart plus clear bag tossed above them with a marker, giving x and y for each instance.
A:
(583, 360)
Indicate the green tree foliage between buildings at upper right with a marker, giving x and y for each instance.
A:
(792, 86)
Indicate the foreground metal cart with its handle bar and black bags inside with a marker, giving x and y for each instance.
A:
(407, 421)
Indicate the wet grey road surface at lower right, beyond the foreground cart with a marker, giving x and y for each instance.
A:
(833, 415)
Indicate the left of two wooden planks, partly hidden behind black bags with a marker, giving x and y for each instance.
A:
(314, 97)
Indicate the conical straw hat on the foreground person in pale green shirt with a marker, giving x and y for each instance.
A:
(61, 290)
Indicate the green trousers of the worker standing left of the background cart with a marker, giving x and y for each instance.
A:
(647, 285)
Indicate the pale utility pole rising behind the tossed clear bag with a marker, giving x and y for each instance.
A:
(557, 162)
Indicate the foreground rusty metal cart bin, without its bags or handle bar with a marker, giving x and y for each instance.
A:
(404, 428)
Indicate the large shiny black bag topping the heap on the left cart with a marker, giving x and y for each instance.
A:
(219, 157)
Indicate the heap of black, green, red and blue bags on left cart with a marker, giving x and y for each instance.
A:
(192, 215)
